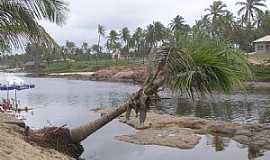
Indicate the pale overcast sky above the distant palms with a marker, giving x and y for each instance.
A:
(85, 15)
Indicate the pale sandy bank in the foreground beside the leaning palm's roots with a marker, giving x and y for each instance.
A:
(14, 146)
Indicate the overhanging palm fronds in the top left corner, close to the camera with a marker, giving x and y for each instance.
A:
(19, 20)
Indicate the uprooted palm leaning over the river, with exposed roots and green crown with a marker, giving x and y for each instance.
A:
(196, 65)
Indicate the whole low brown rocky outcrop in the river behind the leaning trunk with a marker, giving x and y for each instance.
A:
(182, 132)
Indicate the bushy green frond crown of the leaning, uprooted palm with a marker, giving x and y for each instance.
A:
(200, 64)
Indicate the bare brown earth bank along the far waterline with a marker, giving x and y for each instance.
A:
(130, 74)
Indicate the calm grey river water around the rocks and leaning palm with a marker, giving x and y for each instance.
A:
(59, 101)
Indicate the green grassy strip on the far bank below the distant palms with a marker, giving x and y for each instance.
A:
(87, 66)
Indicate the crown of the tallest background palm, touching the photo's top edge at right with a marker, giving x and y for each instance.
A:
(249, 9)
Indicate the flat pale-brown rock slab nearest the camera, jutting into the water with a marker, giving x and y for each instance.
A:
(173, 137)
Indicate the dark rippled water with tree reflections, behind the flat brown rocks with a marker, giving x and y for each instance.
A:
(251, 107)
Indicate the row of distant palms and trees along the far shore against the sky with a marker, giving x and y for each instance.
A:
(251, 22)
